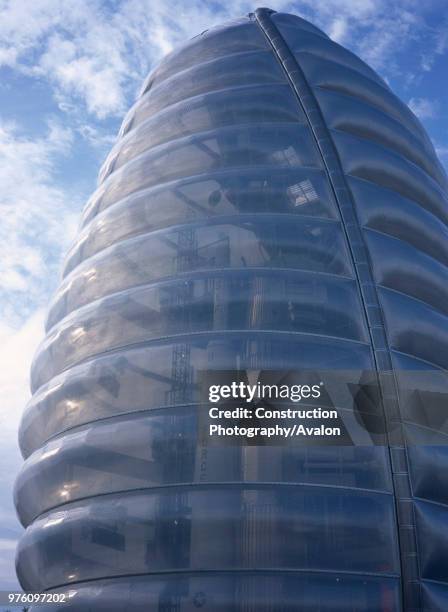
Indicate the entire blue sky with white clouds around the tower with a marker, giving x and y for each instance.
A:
(69, 70)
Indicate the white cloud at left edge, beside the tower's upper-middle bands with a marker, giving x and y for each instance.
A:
(37, 217)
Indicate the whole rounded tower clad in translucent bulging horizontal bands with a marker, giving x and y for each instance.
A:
(269, 205)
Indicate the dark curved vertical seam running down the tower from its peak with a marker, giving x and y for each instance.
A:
(370, 300)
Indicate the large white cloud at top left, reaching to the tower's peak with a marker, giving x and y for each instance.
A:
(99, 56)
